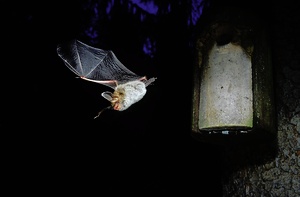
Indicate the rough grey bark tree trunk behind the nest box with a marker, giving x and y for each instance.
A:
(273, 168)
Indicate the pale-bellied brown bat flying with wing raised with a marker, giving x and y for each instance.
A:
(103, 67)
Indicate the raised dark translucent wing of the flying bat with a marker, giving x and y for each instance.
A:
(98, 65)
